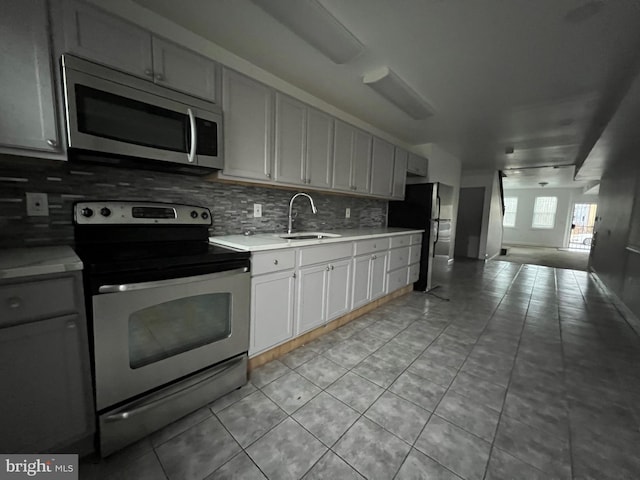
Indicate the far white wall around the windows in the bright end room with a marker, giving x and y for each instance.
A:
(558, 236)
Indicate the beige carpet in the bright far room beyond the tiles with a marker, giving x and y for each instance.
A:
(549, 257)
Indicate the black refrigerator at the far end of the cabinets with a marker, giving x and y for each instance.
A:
(427, 206)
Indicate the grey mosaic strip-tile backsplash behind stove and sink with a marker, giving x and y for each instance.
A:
(231, 205)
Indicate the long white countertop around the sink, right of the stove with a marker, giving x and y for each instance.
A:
(271, 241)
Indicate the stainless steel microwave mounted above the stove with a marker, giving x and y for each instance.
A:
(123, 117)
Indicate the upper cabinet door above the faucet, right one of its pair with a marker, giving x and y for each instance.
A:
(319, 149)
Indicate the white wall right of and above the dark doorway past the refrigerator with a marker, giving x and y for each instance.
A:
(491, 232)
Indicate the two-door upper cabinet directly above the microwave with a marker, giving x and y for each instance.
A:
(104, 38)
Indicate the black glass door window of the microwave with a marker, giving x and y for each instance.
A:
(103, 114)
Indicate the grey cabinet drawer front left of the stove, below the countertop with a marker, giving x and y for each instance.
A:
(20, 302)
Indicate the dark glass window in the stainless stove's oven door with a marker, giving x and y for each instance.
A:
(177, 326)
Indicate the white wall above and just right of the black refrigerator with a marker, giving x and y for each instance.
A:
(445, 168)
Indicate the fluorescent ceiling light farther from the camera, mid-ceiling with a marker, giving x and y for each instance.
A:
(388, 84)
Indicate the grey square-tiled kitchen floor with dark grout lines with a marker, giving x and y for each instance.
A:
(526, 373)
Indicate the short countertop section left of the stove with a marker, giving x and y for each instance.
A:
(24, 262)
